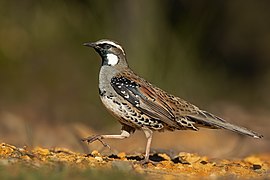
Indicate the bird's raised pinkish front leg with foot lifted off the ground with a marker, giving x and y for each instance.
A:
(124, 134)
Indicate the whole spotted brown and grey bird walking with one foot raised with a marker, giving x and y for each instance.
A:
(139, 105)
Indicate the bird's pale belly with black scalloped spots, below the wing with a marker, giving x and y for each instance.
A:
(130, 116)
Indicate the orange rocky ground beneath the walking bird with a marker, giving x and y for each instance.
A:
(184, 165)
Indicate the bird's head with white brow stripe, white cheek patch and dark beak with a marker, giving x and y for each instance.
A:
(111, 52)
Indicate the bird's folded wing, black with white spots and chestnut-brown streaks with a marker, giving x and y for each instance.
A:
(144, 98)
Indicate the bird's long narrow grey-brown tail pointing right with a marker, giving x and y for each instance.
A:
(210, 120)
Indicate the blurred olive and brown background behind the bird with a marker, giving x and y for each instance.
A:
(215, 54)
